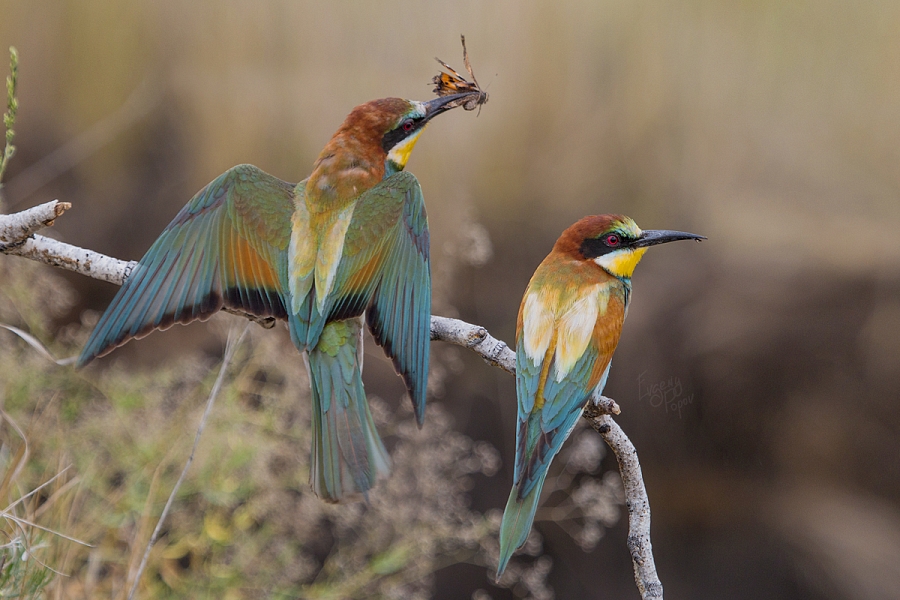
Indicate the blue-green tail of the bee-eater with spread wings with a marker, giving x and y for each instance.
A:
(347, 453)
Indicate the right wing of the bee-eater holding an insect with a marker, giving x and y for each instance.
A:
(385, 270)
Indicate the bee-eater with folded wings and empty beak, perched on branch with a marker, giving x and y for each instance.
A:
(568, 328)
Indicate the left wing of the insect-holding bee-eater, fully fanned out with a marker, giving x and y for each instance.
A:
(227, 247)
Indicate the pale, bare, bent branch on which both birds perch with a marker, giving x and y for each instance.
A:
(17, 237)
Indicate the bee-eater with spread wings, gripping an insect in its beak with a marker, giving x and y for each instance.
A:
(347, 245)
